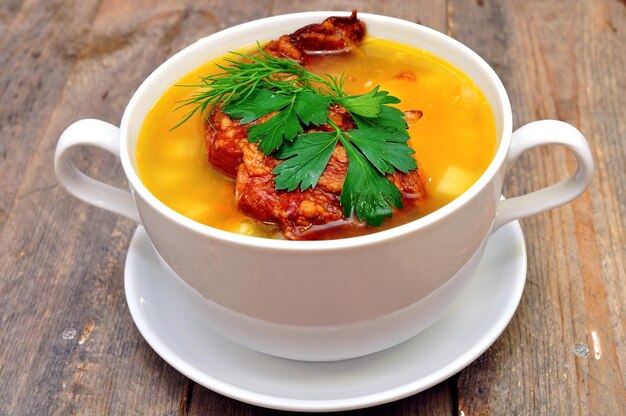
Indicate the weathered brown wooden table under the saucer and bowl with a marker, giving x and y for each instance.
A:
(68, 344)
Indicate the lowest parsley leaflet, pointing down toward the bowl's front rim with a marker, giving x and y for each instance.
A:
(366, 192)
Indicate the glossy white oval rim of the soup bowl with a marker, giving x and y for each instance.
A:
(383, 236)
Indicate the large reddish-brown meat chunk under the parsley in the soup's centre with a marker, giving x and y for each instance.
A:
(292, 212)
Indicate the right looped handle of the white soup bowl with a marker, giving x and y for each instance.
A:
(541, 133)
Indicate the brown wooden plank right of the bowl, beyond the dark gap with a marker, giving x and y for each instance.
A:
(547, 54)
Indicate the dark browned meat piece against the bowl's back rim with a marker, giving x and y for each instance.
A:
(334, 35)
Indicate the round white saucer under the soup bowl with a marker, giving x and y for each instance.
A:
(171, 323)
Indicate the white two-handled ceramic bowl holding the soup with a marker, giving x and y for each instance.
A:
(326, 300)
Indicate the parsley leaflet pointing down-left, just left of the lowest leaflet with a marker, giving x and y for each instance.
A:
(307, 158)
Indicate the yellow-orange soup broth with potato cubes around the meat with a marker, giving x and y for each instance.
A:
(454, 140)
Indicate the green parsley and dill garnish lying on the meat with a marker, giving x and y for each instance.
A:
(251, 87)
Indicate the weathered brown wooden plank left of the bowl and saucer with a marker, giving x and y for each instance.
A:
(62, 263)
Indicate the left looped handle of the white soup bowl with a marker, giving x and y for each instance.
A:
(90, 132)
